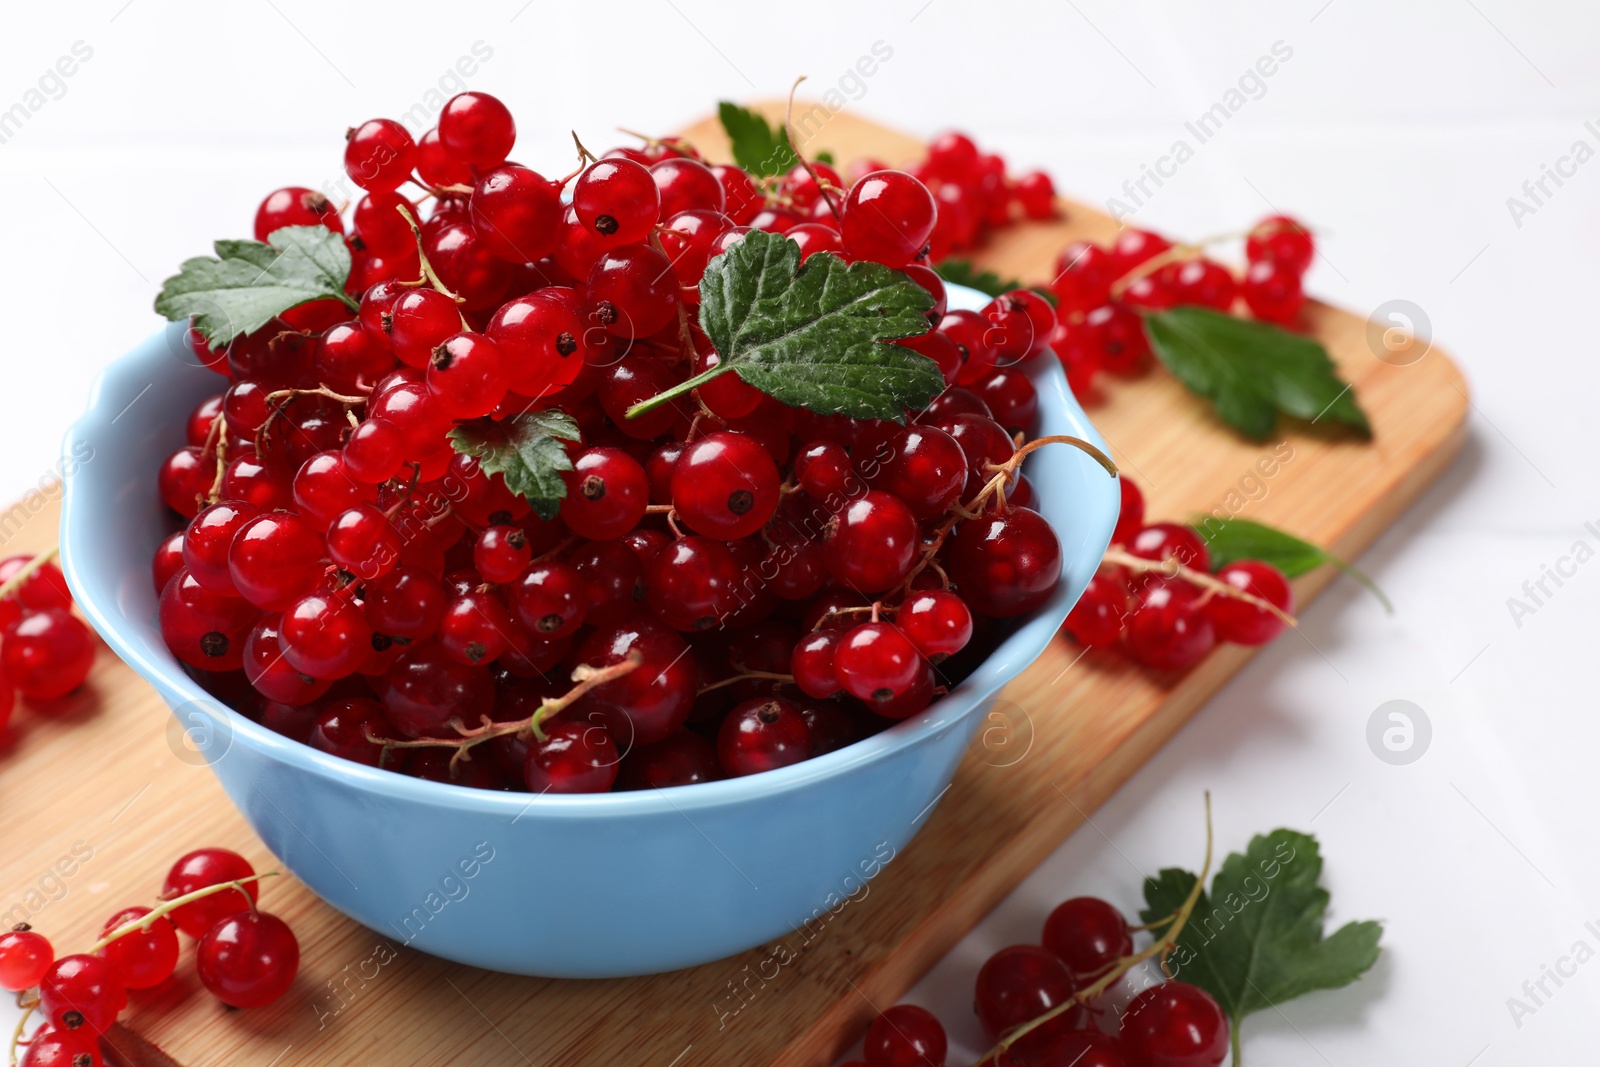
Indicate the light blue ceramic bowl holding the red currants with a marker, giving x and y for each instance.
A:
(564, 887)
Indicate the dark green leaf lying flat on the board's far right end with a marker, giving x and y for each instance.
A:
(1252, 370)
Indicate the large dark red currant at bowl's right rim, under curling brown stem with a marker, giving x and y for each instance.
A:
(1007, 564)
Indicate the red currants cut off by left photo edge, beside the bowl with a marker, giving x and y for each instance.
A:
(46, 650)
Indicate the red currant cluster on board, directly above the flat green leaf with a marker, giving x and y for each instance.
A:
(1102, 290)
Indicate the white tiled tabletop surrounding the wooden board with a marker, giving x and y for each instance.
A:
(1396, 130)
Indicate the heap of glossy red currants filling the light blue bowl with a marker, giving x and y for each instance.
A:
(785, 581)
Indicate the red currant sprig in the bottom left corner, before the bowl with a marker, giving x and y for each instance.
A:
(244, 957)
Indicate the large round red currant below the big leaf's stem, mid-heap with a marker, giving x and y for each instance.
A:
(726, 486)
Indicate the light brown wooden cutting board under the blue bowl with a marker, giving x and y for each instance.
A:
(102, 794)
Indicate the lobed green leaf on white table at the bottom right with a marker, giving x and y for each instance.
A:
(1257, 938)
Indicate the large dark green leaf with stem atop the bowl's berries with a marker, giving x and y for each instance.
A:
(814, 337)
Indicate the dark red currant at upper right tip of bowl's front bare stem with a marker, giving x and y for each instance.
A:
(654, 701)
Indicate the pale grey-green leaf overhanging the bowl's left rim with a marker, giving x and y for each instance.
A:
(250, 284)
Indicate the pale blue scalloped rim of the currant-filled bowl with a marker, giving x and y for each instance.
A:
(1023, 647)
